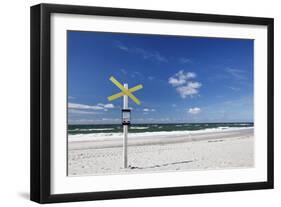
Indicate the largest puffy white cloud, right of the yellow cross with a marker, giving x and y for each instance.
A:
(185, 87)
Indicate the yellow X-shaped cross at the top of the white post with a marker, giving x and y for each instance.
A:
(124, 91)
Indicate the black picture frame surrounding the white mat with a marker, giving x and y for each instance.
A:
(40, 184)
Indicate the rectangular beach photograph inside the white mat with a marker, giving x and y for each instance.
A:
(148, 103)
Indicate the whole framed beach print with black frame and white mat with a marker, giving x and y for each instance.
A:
(133, 103)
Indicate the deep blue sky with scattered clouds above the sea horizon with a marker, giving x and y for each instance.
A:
(185, 79)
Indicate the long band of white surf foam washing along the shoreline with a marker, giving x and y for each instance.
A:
(113, 136)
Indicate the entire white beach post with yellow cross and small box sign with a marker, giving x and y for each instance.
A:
(126, 112)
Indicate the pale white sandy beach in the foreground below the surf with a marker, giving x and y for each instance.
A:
(233, 148)
